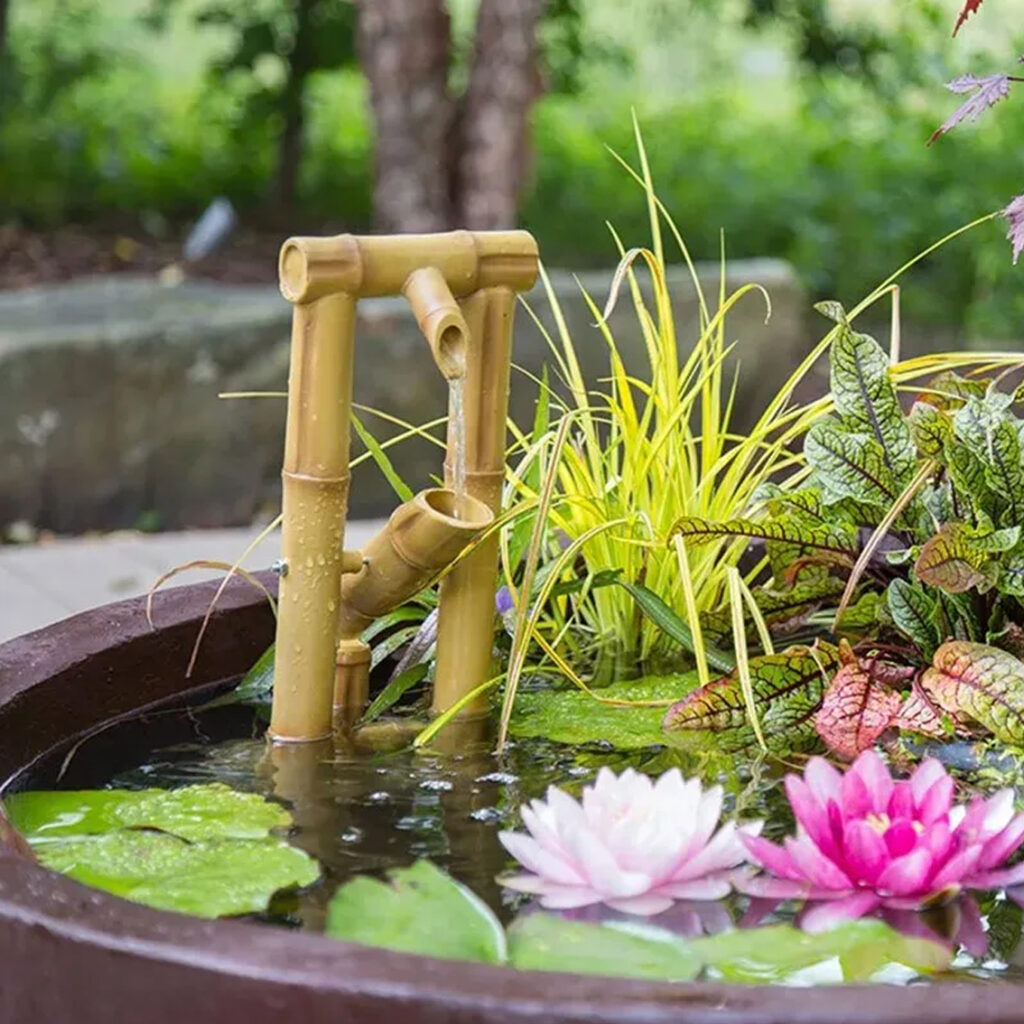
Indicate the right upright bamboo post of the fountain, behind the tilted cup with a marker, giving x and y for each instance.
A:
(466, 616)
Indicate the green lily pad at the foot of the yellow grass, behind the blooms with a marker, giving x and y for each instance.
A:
(575, 717)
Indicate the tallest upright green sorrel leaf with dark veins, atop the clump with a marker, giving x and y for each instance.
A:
(867, 403)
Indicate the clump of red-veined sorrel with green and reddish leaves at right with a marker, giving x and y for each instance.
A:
(904, 542)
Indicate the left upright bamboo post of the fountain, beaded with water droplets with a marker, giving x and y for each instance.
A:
(315, 501)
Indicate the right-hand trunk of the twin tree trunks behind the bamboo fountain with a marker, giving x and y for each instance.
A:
(494, 131)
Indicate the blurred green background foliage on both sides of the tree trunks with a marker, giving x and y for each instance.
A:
(830, 172)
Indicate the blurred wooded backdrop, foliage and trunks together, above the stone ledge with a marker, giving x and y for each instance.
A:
(798, 127)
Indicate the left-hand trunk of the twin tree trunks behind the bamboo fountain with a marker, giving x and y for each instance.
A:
(405, 49)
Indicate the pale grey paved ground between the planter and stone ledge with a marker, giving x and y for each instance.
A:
(45, 583)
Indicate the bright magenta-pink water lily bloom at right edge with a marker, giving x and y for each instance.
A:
(865, 841)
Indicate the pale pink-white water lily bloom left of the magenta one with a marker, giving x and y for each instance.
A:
(631, 843)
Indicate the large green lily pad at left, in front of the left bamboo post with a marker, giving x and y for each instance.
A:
(205, 850)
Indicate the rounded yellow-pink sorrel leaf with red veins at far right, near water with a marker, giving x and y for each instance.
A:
(982, 684)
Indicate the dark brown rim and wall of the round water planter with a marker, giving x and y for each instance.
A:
(48, 916)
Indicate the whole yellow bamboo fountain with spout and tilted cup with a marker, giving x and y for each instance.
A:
(462, 288)
